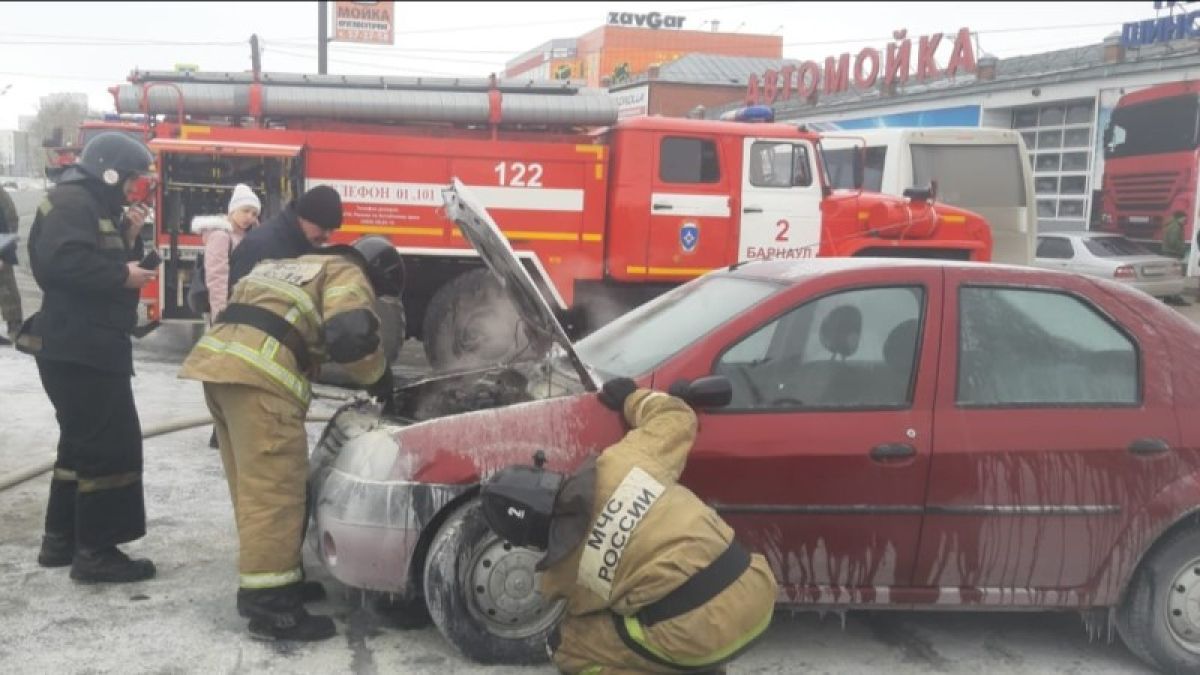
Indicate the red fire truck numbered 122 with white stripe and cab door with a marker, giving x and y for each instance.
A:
(605, 214)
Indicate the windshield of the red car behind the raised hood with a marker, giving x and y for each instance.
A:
(643, 339)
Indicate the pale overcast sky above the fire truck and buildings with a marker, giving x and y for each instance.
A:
(47, 47)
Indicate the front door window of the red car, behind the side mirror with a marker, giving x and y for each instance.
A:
(854, 350)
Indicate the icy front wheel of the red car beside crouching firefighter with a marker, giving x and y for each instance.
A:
(482, 593)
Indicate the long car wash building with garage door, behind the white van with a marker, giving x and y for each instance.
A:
(1060, 101)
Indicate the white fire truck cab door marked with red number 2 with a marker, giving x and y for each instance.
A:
(781, 201)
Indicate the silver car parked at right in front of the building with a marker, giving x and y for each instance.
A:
(1112, 256)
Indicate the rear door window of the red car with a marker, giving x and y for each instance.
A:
(1030, 348)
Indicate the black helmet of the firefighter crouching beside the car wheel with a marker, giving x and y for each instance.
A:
(519, 505)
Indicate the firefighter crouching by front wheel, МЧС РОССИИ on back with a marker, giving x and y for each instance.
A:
(655, 580)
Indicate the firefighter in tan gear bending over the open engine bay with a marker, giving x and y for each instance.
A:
(256, 363)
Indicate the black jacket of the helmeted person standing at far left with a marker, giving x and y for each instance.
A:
(79, 258)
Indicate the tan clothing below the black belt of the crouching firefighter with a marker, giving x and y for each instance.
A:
(603, 643)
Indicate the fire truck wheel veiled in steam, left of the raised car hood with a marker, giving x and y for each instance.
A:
(472, 322)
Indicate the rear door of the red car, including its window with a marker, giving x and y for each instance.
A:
(1053, 409)
